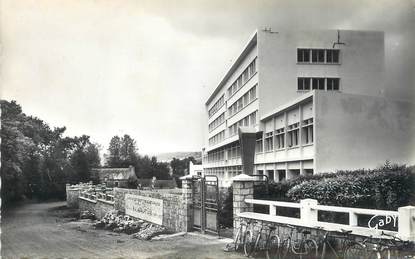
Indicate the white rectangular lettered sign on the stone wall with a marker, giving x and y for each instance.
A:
(145, 208)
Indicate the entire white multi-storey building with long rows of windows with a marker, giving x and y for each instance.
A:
(316, 102)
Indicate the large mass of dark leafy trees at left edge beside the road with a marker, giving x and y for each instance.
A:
(37, 161)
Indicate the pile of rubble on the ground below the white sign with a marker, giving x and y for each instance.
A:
(125, 224)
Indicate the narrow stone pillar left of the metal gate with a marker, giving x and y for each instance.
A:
(187, 197)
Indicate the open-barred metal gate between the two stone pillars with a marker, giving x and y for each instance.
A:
(205, 204)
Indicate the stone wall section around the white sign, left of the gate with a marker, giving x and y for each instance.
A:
(174, 210)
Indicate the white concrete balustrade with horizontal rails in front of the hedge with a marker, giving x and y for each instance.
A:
(403, 219)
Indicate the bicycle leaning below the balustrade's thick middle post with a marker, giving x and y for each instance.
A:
(303, 247)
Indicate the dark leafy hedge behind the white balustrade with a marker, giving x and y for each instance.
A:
(388, 187)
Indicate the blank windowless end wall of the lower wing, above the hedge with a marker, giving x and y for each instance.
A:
(355, 131)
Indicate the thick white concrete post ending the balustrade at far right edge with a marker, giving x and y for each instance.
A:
(406, 223)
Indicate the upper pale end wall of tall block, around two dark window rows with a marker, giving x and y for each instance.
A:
(360, 70)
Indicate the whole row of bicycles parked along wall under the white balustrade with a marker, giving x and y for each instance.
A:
(256, 238)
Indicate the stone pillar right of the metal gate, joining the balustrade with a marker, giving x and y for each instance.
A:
(243, 188)
